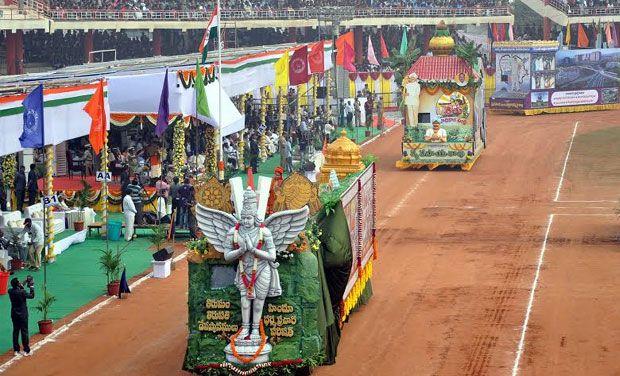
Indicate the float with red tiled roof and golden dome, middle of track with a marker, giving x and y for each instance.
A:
(444, 102)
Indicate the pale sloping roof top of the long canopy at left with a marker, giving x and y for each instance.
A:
(86, 73)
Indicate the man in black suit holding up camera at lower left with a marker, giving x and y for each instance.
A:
(19, 312)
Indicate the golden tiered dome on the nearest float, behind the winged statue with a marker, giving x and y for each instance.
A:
(344, 156)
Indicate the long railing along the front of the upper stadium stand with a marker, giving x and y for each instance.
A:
(281, 14)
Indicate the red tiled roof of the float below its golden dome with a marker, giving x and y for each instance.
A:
(441, 68)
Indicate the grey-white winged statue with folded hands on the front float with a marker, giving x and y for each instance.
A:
(254, 245)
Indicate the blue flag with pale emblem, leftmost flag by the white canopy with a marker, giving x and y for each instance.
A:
(33, 134)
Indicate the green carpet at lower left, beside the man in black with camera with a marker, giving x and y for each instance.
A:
(75, 279)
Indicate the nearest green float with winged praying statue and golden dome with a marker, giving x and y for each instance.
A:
(280, 268)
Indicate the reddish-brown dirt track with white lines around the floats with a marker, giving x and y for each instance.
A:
(459, 252)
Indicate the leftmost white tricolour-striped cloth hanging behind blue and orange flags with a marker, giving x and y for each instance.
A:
(64, 116)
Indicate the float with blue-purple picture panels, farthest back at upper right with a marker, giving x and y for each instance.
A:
(535, 77)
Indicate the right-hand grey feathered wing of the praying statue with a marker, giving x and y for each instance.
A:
(286, 225)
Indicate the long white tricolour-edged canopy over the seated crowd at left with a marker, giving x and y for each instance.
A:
(135, 88)
